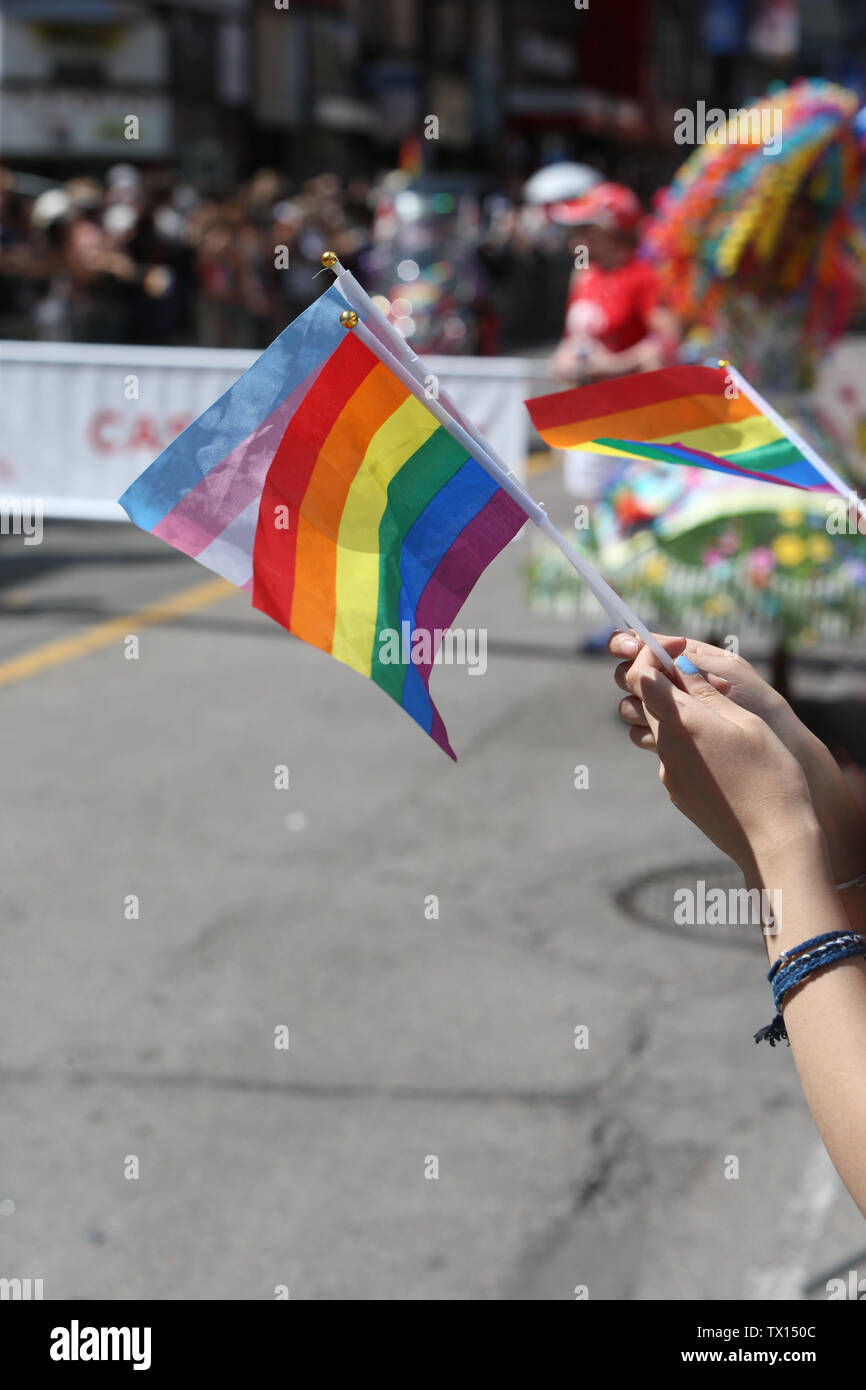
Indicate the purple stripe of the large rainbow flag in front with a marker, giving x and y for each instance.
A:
(459, 569)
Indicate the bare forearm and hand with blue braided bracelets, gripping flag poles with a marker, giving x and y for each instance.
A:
(733, 776)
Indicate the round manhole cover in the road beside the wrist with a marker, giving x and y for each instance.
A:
(698, 901)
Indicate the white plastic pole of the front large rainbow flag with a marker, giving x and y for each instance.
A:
(615, 607)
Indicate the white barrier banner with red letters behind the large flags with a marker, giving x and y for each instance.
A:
(80, 422)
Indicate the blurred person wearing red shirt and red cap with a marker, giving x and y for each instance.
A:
(615, 323)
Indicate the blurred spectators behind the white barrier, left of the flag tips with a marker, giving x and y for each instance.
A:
(145, 259)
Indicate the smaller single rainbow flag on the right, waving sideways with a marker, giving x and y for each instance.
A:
(678, 415)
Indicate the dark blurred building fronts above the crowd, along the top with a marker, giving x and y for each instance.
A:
(224, 87)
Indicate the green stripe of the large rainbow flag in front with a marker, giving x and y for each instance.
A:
(411, 491)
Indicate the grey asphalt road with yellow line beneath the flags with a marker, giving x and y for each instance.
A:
(147, 1045)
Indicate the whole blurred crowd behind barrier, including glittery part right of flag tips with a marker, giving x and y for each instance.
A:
(144, 258)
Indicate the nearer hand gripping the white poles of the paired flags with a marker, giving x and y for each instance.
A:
(724, 767)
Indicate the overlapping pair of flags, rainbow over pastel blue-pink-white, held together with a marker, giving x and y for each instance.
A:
(329, 491)
